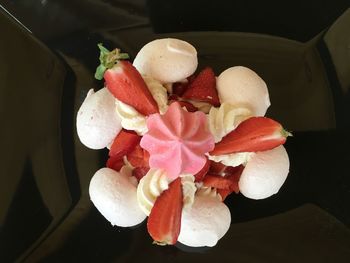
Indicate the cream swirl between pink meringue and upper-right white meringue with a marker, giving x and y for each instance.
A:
(225, 119)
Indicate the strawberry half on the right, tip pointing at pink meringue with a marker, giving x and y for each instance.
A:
(252, 135)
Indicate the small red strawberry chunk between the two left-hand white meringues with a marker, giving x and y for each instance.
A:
(124, 143)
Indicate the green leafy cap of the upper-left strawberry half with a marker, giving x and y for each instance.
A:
(108, 59)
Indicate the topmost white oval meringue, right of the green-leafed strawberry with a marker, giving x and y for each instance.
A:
(167, 60)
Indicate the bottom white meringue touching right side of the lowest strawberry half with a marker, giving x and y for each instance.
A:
(205, 223)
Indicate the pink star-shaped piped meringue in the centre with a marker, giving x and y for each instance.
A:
(177, 141)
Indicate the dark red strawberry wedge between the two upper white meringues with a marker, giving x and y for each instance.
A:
(203, 88)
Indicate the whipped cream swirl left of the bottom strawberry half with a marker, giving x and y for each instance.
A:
(150, 187)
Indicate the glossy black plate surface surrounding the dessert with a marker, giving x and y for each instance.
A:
(300, 49)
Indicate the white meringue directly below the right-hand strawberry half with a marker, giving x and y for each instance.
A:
(264, 173)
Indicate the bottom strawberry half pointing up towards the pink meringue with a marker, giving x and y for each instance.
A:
(164, 221)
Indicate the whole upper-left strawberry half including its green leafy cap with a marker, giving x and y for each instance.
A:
(125, 82)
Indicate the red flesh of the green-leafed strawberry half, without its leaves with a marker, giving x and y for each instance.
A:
(128, 86)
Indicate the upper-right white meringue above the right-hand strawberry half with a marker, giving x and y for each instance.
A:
(242, 87)
